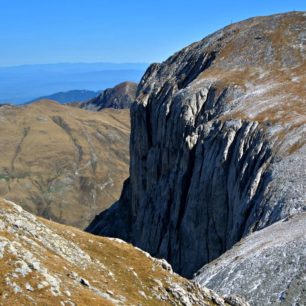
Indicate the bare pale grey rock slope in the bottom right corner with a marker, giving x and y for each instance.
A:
(271, 265)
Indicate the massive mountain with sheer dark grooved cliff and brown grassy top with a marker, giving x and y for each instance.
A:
(217, 143)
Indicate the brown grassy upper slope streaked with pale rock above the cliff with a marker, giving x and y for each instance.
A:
(267, 63)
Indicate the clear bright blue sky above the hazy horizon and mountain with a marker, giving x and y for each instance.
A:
(53, 31)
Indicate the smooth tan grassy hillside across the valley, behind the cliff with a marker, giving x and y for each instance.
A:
(63, 163)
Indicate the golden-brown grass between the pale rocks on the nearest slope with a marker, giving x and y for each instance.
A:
(115, 268)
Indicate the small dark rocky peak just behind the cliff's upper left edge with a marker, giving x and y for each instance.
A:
(118, 97)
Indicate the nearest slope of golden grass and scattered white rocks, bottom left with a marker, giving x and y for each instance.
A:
(44, 263)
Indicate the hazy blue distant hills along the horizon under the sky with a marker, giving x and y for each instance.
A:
(22, 84)
